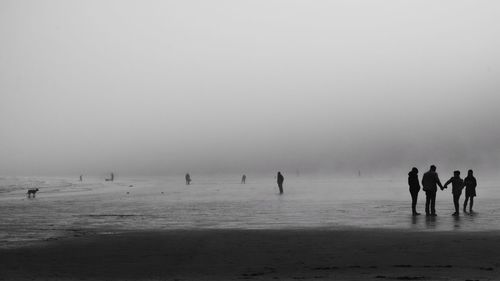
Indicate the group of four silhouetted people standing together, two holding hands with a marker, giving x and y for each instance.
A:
(430, 183)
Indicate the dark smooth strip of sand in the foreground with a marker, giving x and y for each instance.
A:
(260, 255)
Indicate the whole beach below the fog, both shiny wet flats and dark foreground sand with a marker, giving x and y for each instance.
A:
(219, 229)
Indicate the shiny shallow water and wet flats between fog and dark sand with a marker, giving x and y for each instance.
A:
(66, 207)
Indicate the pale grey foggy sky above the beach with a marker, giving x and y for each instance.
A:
(160, 87)
